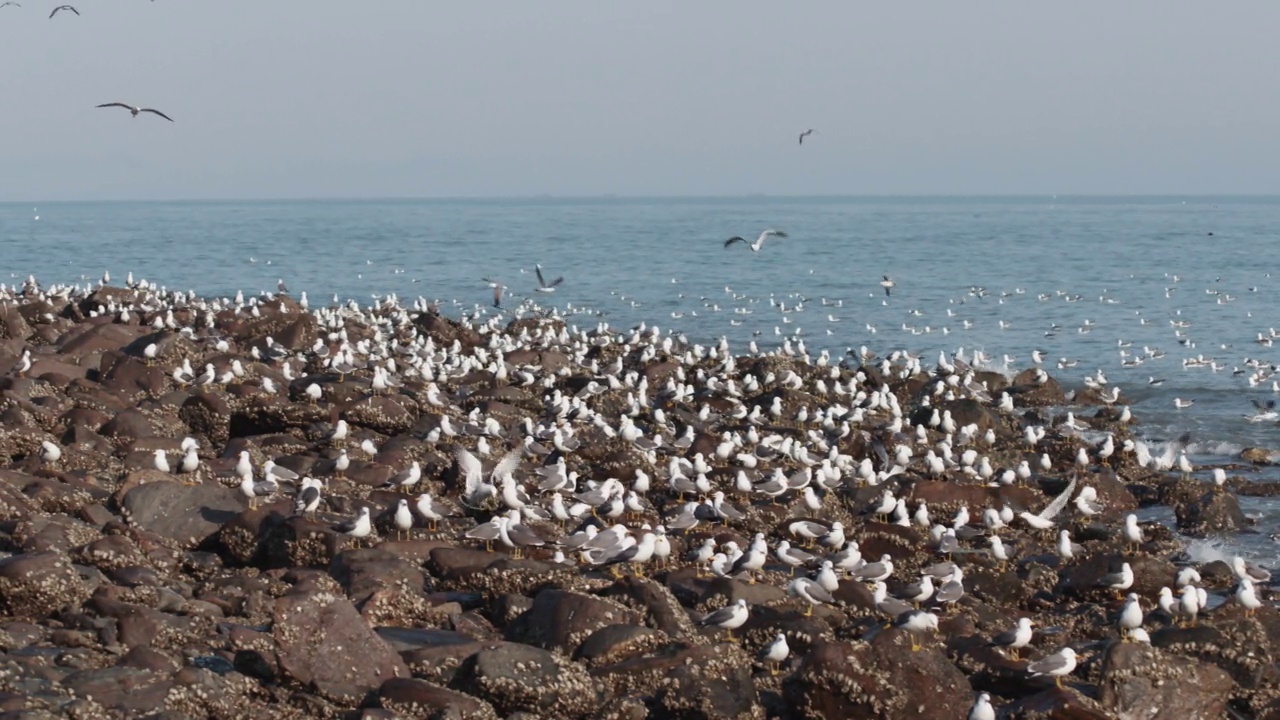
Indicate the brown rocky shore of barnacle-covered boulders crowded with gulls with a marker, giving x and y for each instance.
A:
(132, 591)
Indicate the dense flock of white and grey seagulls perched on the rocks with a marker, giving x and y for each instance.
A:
(519, 484)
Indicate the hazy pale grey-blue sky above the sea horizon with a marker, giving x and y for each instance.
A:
(410, 98)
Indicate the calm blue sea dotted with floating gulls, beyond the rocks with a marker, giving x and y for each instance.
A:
(1089, 271)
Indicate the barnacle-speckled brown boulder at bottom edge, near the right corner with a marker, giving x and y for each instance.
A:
(1137, 678)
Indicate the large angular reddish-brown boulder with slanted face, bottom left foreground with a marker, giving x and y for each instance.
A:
(314, 630)
